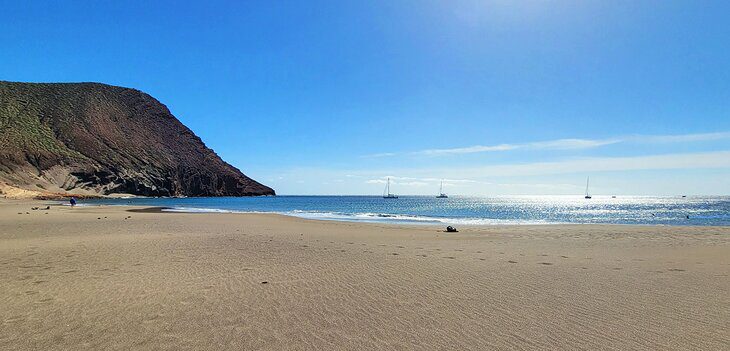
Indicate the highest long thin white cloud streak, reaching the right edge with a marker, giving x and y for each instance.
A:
(564, 144)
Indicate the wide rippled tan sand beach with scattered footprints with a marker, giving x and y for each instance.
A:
(92, 278)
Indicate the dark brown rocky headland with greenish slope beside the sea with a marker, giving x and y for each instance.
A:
(90, 138)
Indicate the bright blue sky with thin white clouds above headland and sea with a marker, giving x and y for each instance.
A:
(492, 97)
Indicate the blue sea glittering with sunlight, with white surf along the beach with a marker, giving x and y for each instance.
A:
(465, 210)
